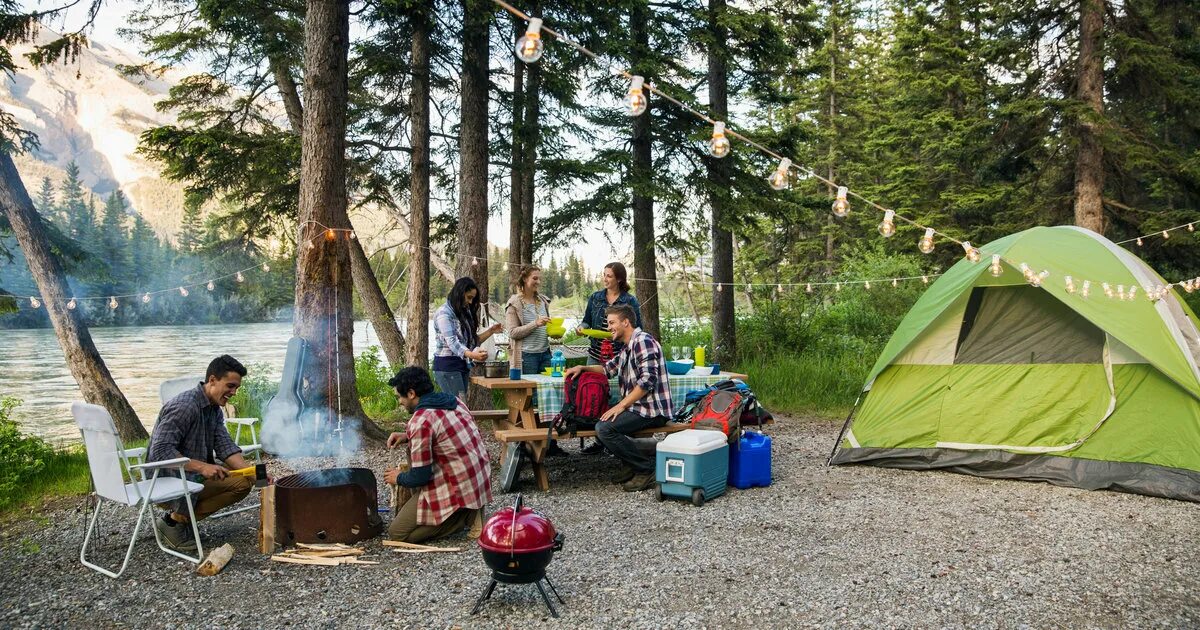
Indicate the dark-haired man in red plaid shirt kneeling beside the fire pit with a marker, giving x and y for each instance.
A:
(448, 459)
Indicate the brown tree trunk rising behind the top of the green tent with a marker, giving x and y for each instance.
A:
(1089, 163)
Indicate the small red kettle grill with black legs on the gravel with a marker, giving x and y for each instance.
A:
(518, 544)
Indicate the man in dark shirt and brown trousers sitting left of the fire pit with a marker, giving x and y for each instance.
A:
(193, 425)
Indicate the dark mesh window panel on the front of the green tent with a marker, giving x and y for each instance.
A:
(1025, 326)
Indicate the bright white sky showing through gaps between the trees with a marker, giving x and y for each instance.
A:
(595, 253)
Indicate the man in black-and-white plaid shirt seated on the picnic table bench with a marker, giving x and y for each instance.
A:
(646, 398)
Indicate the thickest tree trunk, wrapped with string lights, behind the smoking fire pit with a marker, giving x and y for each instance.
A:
(323, 307)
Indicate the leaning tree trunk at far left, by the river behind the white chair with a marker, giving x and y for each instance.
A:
(85, 362)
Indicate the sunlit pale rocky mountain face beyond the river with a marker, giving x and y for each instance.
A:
(87, 111)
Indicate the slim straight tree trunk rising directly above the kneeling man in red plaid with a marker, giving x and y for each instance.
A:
(419, 196)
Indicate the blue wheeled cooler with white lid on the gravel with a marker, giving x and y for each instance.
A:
(693, 465)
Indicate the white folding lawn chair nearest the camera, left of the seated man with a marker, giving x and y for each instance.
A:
(109, 461)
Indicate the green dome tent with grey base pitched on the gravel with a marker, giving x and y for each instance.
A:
(995, 377)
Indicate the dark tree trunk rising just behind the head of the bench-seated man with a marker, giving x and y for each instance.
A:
(645, 261)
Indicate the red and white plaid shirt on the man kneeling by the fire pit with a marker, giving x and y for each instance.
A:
(452, 445)
